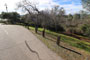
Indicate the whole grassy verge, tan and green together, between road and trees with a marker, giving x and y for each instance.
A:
(66, 41)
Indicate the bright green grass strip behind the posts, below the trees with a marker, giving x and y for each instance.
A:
(70, 40)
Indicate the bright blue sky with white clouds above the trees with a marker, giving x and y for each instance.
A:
(70, 6)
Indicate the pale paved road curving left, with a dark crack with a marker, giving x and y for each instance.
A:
(18, 43)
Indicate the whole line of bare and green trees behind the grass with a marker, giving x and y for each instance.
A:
(54, 19)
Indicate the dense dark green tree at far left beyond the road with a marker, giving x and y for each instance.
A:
(12, 17)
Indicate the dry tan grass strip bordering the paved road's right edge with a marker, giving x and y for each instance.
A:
(66, 54)
